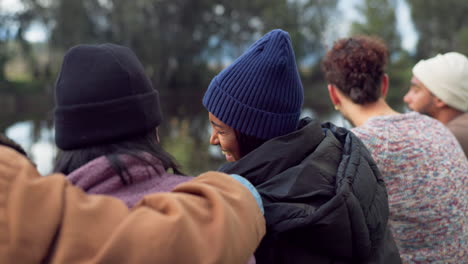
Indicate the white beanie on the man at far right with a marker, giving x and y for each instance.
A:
(446, 76)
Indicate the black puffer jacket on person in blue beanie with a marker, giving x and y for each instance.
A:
(324, 198)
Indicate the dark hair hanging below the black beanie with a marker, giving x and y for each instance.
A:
(69, 160)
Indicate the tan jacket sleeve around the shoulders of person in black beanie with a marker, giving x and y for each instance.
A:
(211, 219)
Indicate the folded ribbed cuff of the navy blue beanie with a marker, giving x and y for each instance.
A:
(245, 119)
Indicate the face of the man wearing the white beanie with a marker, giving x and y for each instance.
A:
(419, 98)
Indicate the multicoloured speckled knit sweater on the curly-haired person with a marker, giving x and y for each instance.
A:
(426, 172)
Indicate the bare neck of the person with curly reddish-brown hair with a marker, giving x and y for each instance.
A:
(359, 114)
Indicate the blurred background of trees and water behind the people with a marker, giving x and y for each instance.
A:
(184, 43)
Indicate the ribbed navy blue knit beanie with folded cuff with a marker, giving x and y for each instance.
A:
(260, 94)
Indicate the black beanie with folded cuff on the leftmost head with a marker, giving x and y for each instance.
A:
(102, 96)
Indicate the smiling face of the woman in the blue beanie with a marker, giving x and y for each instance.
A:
(225, 137)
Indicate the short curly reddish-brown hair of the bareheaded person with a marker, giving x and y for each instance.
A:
(356, 66)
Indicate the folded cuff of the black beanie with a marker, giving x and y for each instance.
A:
(84, 125)
